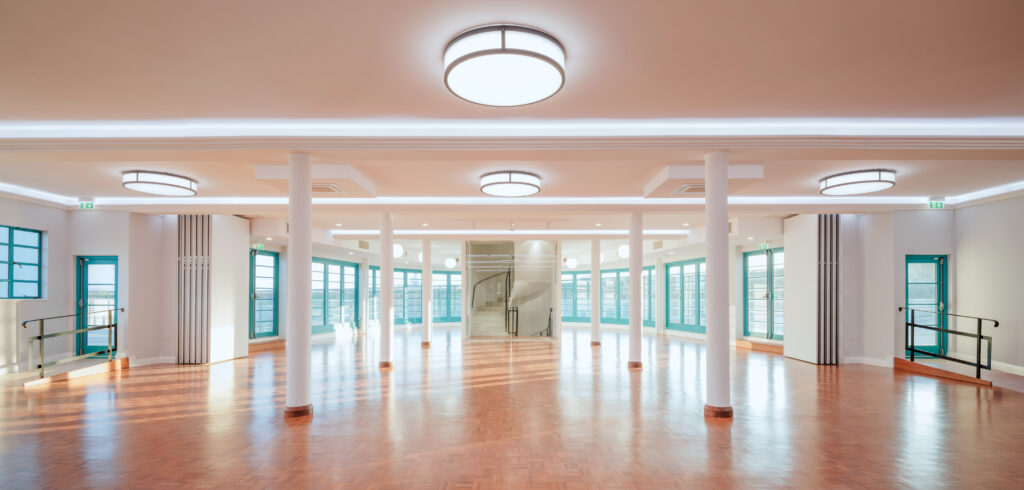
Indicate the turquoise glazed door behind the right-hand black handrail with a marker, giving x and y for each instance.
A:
(926, 293)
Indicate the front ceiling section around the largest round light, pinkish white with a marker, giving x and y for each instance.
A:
(111, 60)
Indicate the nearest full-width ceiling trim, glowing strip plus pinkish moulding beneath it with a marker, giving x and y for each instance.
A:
(965, 133)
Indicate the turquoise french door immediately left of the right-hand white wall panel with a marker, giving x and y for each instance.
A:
(764, 294)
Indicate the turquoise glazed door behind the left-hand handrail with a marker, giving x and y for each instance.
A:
(97, 292)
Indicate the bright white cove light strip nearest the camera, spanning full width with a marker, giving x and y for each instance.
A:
(435, 128)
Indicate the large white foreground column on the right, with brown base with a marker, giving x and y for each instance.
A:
(717, 239)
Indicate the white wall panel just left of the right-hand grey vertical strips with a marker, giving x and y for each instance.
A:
(801, 303)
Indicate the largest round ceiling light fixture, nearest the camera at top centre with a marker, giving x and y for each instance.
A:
(504, 66)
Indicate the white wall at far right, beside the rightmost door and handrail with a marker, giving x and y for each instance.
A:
(990, 280)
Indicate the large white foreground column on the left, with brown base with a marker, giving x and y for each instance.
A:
(298, 399)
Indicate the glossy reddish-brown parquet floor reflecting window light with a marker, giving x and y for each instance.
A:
(496, 415)
